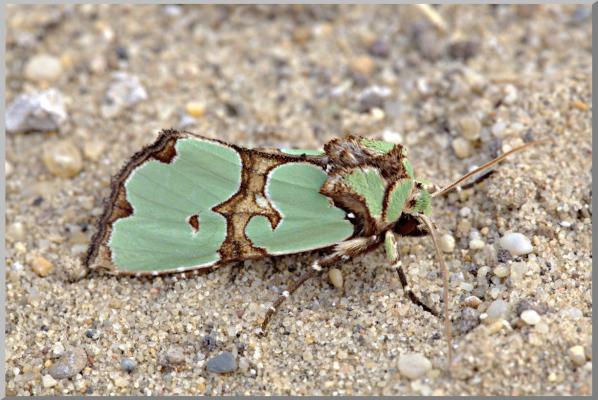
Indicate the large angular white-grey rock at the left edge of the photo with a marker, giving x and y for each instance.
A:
(39, 111)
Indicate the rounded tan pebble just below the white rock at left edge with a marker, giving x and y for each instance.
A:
(62, 159)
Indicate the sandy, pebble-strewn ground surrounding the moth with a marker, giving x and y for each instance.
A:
(299, 76)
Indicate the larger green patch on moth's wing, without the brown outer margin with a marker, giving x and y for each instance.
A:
(164, 196)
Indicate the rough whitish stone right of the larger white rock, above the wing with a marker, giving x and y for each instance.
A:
(125, 91)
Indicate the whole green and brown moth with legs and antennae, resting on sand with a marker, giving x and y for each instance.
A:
(187, 203)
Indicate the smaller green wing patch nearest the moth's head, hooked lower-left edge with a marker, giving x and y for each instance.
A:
(309, 219)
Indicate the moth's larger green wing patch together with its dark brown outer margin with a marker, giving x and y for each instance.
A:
(159, 217)
